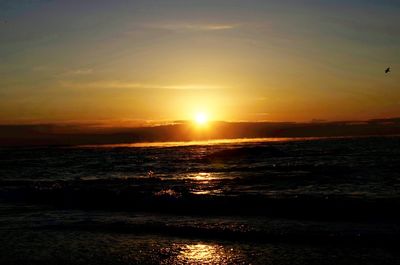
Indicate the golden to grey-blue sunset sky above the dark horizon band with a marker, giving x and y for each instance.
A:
(149, 61)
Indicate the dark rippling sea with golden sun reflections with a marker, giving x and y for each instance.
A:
(241, 201)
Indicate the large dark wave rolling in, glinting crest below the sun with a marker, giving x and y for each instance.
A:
(151, 195)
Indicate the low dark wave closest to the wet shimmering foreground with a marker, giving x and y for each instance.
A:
(293, 235)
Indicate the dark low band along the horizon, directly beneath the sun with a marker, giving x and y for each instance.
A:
(80, 135)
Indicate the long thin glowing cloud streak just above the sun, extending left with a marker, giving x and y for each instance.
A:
(133, 85)
